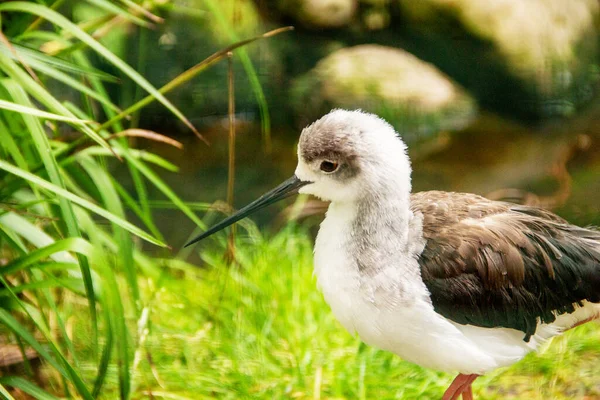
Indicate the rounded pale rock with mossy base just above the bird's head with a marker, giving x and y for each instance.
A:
(411, 94)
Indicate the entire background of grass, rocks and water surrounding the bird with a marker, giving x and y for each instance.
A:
(498, 98)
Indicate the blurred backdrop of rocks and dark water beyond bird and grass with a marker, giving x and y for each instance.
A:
(496, 98)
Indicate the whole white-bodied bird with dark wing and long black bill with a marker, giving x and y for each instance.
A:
(449, 281)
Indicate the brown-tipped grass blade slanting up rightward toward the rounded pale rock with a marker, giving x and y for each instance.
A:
(190, 73)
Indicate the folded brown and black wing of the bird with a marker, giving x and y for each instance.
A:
(494, 264)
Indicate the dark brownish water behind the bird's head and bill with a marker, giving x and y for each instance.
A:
(556, 166)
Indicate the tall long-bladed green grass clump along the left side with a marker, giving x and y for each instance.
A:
(67, 247)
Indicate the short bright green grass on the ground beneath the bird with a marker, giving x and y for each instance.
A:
(261, 329)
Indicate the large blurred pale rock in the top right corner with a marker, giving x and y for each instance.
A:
(549, 46)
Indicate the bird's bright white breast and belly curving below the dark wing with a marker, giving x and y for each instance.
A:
(410, 329)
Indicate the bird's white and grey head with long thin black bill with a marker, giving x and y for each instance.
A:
(342, 157)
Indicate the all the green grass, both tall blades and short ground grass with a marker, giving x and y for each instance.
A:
(108, 318)
